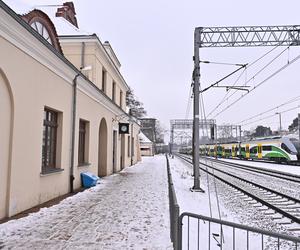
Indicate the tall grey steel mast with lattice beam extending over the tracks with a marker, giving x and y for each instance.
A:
(247, 36)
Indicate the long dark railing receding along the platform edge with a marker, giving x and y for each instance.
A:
(174, 208)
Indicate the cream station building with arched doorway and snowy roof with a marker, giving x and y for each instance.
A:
(62, 106)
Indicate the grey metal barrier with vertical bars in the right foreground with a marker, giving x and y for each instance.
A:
(201, 232)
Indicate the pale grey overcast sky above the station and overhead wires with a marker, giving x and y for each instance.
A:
(154, 42)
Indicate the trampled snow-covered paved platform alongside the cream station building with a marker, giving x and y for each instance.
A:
(128, 210)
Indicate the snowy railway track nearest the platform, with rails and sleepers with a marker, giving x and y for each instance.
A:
(279, 206)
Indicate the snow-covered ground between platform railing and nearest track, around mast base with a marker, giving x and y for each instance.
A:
(225, 205)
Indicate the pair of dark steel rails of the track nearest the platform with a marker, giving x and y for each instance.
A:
(258, 199)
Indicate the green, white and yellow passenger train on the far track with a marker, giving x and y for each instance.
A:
(277, 148)
